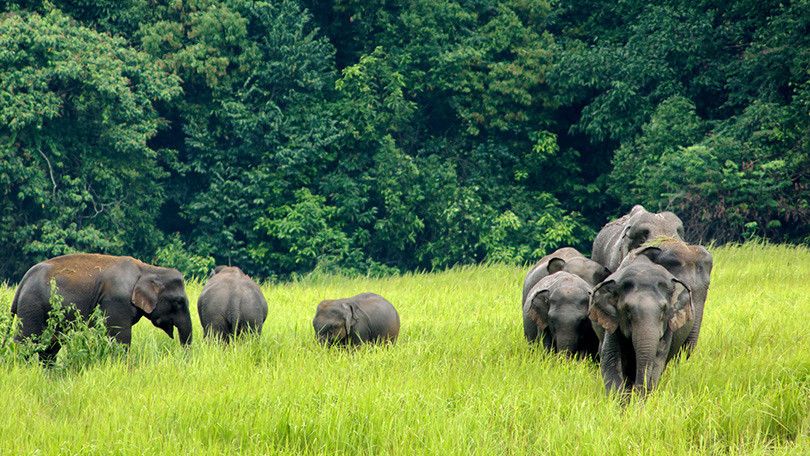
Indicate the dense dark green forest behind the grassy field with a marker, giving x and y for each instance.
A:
(374, 136)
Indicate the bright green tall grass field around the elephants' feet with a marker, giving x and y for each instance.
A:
(461, 379)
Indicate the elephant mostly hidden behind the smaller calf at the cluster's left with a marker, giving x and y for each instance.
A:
(565, 259)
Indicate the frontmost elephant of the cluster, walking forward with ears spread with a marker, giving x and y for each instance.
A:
(643, 316)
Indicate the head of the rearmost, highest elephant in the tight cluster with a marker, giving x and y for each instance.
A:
(641, 226)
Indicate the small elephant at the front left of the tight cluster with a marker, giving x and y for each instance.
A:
(556, 312)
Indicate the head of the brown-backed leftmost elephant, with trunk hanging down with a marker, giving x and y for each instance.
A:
(161, 295)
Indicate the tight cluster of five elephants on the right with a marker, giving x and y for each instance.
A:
(634, 306)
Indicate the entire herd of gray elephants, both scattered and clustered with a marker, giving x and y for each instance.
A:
(635, 305)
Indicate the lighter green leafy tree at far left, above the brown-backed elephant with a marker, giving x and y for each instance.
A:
(76, 114)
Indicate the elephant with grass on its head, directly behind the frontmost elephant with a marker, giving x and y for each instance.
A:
(691, 264)
